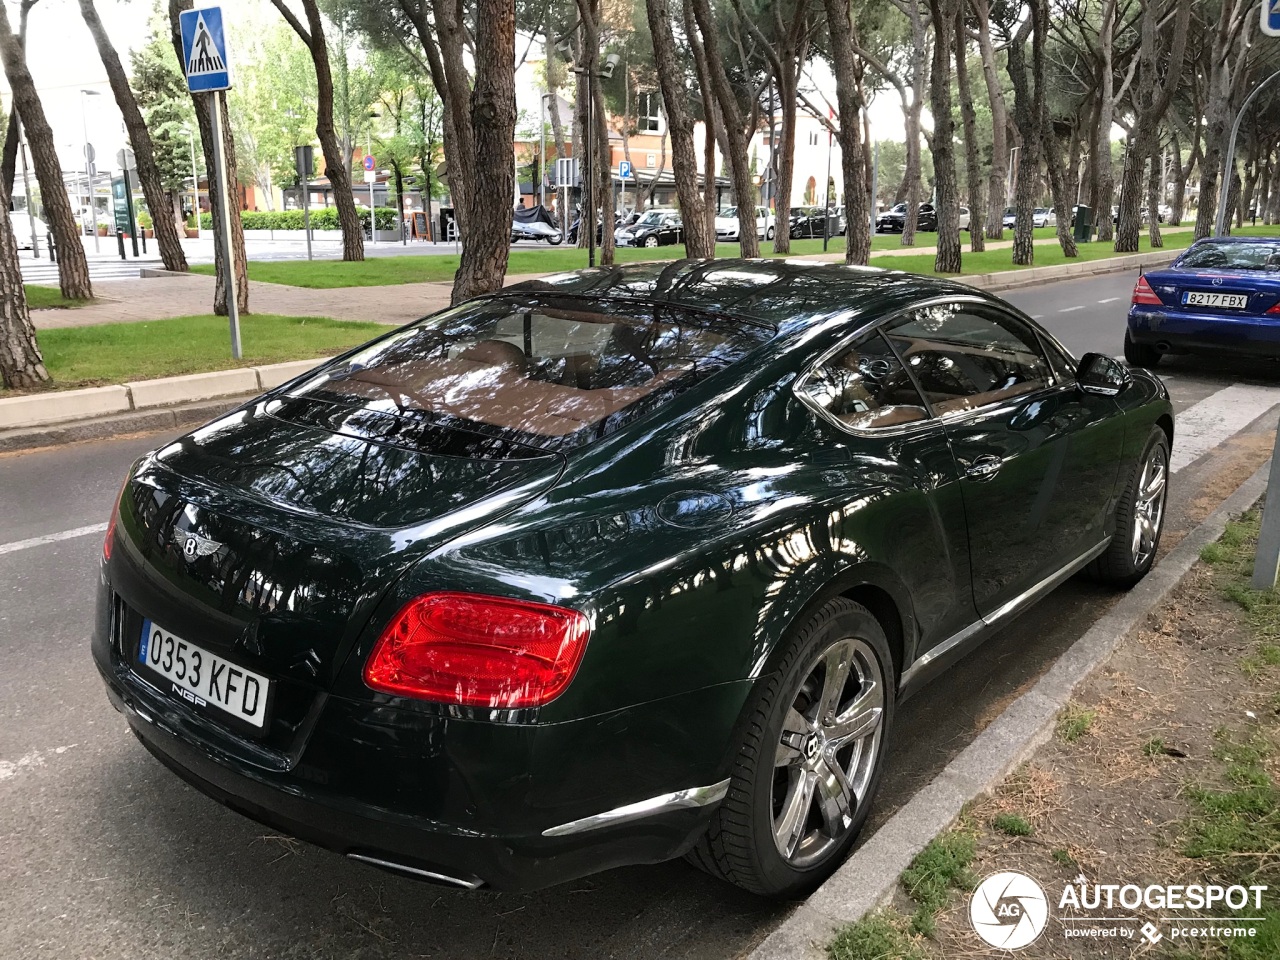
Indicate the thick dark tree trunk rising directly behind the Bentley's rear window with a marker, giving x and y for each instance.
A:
(493, 130)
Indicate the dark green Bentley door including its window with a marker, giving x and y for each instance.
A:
(1039, 458)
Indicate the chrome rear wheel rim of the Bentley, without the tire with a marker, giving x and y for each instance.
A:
(826, 757)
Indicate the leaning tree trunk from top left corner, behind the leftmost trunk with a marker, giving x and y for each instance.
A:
(72, 267)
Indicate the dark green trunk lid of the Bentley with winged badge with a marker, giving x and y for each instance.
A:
(271, 545)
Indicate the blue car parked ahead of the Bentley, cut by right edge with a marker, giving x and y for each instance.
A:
(1222, 296)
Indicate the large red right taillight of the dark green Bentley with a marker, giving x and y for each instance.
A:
(478, 651)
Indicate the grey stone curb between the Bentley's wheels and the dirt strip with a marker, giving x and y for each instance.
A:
(868, 879)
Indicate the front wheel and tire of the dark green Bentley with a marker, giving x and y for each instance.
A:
(1140, 519)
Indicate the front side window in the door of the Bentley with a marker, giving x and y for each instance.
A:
(966, 356)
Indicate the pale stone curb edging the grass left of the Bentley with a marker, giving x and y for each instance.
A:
(57, 408)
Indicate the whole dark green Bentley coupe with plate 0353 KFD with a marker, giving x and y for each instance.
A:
(615, 566)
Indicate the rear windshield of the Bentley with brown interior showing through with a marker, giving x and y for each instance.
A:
(532, 376)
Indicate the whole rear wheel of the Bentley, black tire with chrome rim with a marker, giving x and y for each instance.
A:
(811, 757)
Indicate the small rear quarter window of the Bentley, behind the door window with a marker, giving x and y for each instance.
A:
(865, 387)
